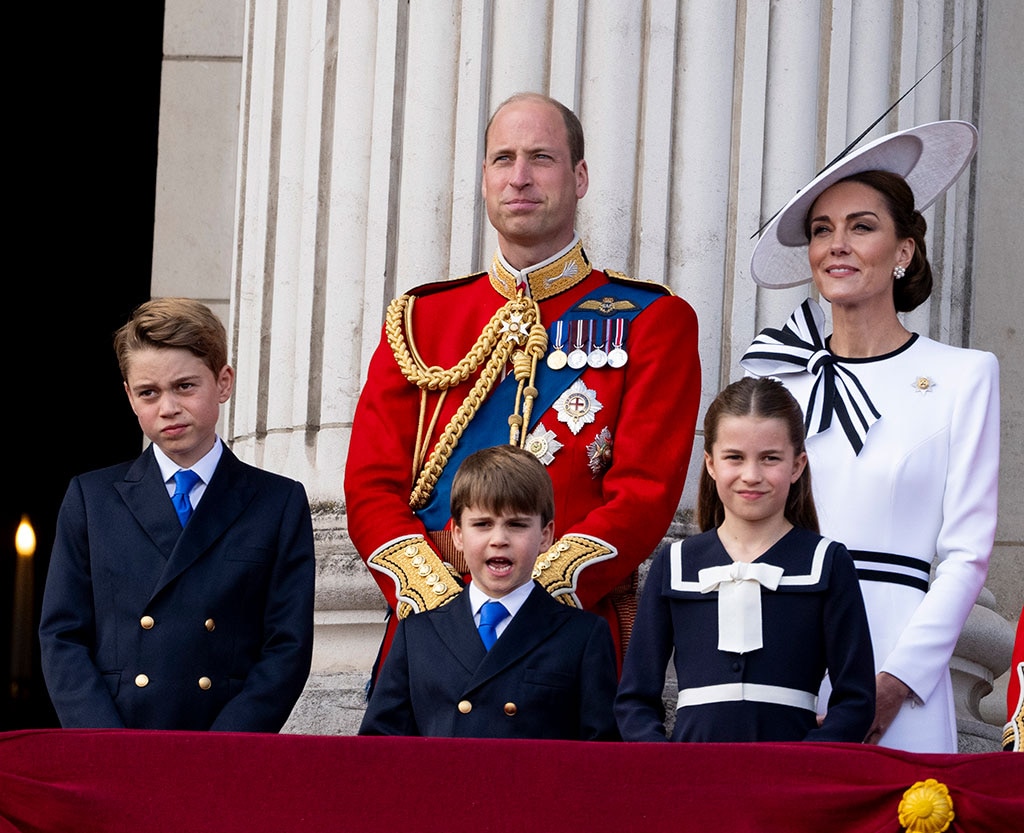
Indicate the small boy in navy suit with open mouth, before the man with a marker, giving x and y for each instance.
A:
(551, 672)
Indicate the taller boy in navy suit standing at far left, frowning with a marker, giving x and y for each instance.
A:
(179, 607)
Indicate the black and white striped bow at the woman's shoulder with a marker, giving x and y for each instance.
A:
(800, 346)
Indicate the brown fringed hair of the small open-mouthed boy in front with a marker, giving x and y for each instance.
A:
(503, 479)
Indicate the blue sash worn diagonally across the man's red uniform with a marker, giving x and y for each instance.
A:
(490, 426)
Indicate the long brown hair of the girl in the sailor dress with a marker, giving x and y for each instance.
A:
(766, 399)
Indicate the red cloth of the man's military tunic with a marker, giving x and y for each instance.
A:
(649, 407)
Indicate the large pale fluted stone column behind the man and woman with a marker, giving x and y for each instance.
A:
(360, 148)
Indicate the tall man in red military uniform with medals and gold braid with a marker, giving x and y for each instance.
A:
(598, 374)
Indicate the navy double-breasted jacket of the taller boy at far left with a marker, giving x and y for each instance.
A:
(149, 626)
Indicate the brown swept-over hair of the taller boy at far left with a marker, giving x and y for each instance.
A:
(165, 323)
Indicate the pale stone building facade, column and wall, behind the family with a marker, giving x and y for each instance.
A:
(319, 157)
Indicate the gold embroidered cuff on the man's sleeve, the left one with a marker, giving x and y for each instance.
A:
(422, 580)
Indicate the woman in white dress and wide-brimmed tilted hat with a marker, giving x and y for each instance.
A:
(904, 432)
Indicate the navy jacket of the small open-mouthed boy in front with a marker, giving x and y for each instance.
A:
(551, 675)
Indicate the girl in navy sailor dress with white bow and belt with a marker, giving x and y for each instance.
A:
(758, 608)
